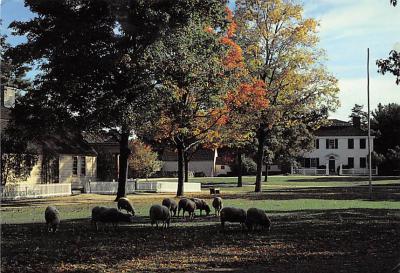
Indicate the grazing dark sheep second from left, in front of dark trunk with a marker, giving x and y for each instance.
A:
(109, 215)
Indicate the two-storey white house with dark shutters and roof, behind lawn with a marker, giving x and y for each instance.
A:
(340, 148)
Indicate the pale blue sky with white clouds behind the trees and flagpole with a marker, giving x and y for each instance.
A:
(346, 29)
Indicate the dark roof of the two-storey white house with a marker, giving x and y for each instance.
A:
(340, 128)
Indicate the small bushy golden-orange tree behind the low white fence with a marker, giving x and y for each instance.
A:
(143, 162)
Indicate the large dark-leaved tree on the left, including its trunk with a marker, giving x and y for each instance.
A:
(92, 72)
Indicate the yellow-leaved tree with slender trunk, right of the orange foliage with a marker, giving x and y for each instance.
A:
(281, 51)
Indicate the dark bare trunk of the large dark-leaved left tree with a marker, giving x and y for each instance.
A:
(123, 164)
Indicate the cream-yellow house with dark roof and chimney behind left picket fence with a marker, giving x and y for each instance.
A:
(62, 158)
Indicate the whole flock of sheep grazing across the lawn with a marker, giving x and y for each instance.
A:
(252, 218)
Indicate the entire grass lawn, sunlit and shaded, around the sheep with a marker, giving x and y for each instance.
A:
(319, 225)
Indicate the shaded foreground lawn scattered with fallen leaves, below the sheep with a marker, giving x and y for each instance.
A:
(355, 240)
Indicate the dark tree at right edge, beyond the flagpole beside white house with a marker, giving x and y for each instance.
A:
(386, 123)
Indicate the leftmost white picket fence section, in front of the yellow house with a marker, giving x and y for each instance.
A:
(25, 190)
